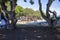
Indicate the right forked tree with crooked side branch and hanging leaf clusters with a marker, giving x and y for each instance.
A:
(47, 16)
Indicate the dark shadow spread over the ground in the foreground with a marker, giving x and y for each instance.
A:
(29, 32)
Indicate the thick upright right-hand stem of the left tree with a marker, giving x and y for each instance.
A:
(13, 19)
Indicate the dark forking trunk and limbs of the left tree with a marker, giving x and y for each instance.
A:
(11, 13)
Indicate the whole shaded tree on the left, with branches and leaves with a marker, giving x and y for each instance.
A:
(11, 12)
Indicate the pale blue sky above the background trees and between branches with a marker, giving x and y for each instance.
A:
(54, 7)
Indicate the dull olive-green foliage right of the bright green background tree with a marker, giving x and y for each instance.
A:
(30, 12)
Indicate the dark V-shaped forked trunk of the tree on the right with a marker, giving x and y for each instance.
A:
(47, 17)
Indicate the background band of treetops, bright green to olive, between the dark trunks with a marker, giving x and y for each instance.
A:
(20, 11)
